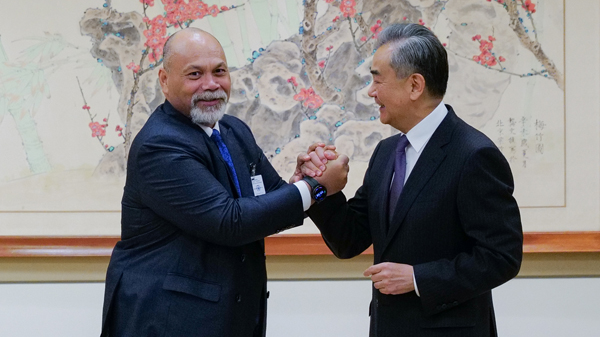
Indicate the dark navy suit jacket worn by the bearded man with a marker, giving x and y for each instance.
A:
(191, 258)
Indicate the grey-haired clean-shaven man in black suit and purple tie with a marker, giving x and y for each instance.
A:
(453, 231)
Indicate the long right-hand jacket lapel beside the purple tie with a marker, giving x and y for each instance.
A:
(427, 164)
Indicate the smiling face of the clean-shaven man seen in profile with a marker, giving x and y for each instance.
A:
(391, 93)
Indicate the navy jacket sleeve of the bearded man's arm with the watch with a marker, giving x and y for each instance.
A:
(177, 185)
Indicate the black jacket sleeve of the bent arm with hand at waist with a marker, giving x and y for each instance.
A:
(489, 216)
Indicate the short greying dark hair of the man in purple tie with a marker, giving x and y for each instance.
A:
(415, 49)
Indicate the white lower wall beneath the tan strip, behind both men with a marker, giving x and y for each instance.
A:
(526, 307)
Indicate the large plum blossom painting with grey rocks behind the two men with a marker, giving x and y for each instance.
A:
(79, 81)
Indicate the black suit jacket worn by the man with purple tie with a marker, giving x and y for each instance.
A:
(456, 222)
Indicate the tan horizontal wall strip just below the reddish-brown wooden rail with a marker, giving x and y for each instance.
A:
(319, 267)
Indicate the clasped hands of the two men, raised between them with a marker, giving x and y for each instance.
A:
(322, 163)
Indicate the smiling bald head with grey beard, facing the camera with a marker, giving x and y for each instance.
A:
(196, 79)
